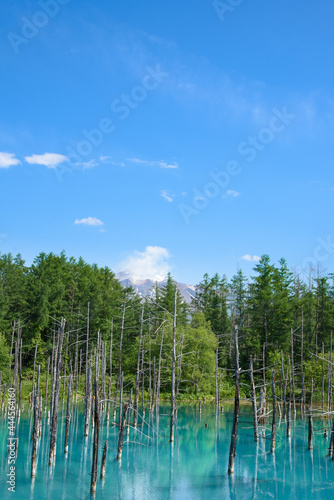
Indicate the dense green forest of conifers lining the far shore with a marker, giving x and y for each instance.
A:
(274, 310)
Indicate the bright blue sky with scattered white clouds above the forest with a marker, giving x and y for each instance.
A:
(191, 136)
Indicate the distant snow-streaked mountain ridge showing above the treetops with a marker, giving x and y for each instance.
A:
(145, 287)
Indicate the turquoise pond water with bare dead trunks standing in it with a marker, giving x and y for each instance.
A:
(194, 468)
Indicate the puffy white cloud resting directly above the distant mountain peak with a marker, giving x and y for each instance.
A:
(151, 264)
